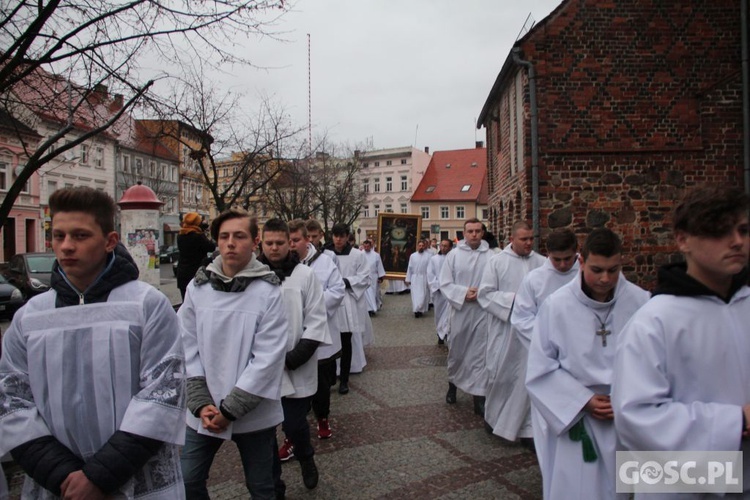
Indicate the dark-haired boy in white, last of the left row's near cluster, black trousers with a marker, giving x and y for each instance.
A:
(352, 316)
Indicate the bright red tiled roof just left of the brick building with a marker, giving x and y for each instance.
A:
(468, 167)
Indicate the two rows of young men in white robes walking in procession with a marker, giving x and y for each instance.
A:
(106, 391)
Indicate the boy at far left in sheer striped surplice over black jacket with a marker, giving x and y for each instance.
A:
(92, 391)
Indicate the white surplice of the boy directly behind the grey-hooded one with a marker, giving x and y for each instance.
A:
(306, 315)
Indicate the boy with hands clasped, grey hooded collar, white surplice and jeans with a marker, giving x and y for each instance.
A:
(234, 329)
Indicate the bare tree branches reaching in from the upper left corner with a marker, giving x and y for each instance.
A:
(99, 44)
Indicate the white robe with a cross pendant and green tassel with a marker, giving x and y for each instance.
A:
(567, 366)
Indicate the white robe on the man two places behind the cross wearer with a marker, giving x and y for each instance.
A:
(507, 408)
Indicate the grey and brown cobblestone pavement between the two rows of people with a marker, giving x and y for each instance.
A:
(393, 434)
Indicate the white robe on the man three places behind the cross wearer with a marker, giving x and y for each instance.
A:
(467, 342)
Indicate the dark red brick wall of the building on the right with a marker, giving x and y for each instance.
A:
(638, 101)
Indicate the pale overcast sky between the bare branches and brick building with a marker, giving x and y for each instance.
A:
(394, 72)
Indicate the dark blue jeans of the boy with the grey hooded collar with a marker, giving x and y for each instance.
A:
(256, 452)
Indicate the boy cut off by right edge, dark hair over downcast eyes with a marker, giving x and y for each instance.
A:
(681, 373)
